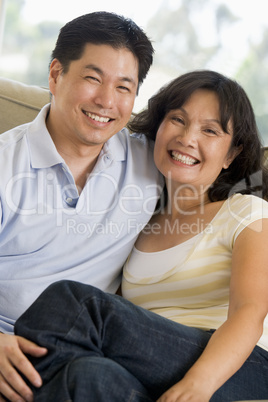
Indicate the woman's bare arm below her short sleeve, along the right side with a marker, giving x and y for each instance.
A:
(233, 342)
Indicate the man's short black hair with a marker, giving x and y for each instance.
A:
(103, 28)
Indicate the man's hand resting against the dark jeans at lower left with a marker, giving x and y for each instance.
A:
(12, 359)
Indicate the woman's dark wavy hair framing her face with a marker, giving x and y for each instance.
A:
(246, 174)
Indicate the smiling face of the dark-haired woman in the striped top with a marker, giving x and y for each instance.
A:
(191, 147)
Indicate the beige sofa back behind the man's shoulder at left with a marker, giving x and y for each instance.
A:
(20, 103)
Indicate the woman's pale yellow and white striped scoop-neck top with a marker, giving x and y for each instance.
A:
(189, 283)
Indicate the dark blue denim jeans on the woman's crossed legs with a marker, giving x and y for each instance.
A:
(104, 348)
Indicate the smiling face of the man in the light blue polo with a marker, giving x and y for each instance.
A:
(94, 99)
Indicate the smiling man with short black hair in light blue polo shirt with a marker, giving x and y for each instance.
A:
(76, 188)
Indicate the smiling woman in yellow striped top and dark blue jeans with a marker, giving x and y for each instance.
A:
(201, 262)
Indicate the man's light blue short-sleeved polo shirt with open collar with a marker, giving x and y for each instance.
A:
(49, 232)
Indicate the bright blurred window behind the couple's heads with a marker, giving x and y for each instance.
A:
(225, 35)
